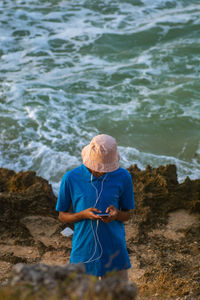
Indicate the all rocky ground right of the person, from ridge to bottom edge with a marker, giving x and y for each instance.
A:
(165, 249)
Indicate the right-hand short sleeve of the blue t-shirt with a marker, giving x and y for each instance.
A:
(127, 196)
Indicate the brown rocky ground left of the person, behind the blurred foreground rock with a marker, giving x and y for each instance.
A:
(29, 227)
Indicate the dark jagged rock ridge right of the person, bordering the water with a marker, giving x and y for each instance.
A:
(157, 193)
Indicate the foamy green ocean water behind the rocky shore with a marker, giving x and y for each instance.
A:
(72, 69)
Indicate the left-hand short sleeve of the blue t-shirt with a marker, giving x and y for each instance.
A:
(64, 197)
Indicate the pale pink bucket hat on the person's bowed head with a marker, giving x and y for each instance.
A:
(101, 154)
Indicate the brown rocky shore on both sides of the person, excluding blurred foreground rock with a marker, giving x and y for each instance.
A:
(163, 235)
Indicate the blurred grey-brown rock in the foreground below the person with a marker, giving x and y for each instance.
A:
(78, 286)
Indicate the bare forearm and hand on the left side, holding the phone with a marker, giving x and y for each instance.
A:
(70, 217)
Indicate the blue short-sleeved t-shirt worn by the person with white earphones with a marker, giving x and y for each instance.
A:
(102, 247)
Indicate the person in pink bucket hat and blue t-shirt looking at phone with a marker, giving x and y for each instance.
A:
(99, 186)
